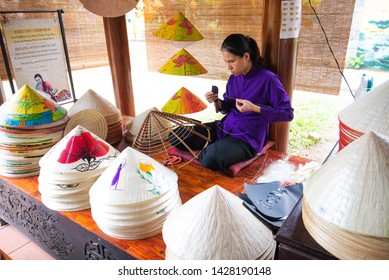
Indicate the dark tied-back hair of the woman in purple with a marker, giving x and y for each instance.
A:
(239, 44)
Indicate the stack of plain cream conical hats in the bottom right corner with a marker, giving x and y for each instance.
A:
(345, 202)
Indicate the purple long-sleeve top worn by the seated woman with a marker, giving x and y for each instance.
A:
(262, 87)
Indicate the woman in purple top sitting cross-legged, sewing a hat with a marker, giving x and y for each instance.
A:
(254, 98)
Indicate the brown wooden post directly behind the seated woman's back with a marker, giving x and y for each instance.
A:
(281, 56)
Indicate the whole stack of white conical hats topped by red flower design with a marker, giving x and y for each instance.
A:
(71, 167)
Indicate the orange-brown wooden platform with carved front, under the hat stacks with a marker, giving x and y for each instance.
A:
(75, 235)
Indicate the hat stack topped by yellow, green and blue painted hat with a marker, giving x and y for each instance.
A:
(30, 124)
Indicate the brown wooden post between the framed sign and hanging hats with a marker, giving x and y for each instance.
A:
(119, 60)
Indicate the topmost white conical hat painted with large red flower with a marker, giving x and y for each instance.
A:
(79, 153)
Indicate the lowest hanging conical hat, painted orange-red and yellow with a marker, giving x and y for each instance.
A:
(184, 102)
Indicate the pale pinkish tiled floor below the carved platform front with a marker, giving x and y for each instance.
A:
(17, 246)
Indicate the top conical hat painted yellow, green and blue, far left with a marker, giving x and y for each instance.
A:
(28, 108)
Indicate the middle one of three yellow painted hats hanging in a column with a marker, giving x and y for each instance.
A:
(183, 64)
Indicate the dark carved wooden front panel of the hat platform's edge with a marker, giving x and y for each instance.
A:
(51, 231)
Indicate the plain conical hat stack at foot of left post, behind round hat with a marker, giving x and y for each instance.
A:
(90, 100)
